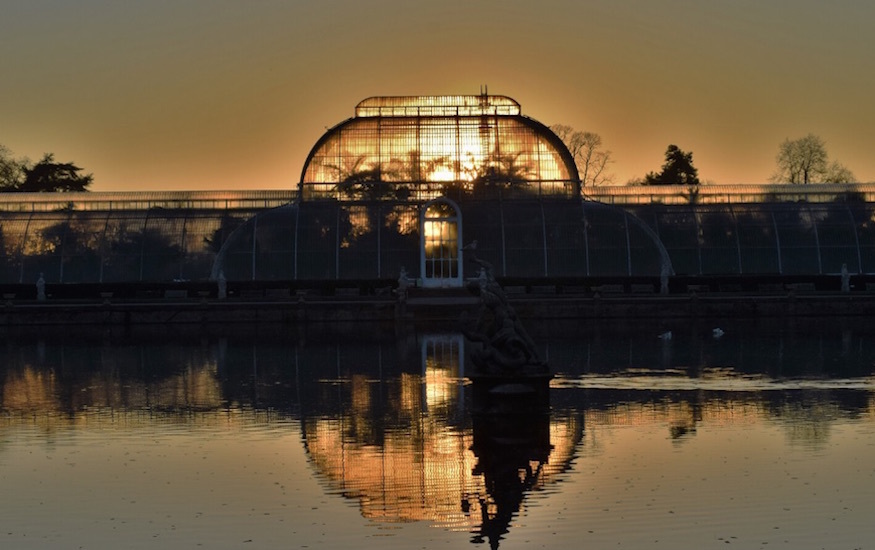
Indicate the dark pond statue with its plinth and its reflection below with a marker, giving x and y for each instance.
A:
(511, 408)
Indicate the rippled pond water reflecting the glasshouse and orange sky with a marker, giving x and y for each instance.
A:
(761, 436)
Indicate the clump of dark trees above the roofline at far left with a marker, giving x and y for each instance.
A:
(19, 175)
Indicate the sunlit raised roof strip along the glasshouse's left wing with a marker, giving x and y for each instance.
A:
(144, 200)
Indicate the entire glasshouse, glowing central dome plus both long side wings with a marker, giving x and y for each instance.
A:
(416, 184)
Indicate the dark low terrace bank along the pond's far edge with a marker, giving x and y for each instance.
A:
(432, 306)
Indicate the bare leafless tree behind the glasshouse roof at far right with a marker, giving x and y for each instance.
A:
(805, 160)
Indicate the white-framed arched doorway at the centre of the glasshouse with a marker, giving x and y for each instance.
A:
(441, 231)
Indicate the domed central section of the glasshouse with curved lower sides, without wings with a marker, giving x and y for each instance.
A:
(419, 185)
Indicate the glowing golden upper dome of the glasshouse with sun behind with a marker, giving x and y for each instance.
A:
(399, 148)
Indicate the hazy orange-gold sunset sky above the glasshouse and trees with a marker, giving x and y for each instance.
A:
(221, 94)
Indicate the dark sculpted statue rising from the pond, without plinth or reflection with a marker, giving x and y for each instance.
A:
(505, 344)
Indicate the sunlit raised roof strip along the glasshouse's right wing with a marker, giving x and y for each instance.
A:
(728, 194)
